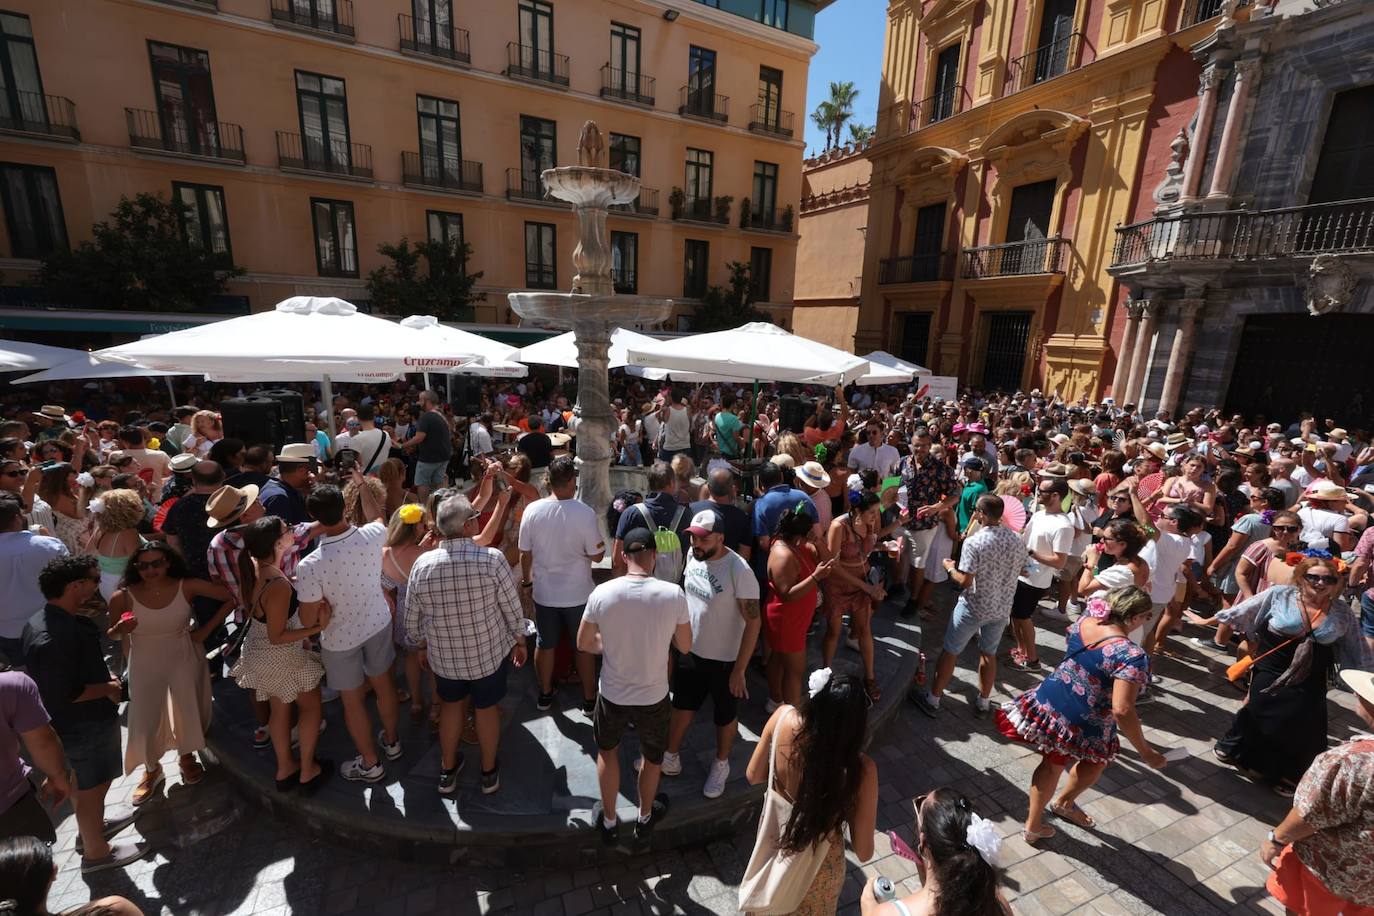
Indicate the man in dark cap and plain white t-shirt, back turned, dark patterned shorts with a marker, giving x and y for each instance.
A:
(630, 621)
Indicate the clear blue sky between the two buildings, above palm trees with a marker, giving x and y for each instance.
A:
(850, 34)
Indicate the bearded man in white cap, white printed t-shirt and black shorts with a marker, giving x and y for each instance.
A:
(723, 601)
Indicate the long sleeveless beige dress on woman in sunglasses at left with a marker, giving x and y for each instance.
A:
(170, 685)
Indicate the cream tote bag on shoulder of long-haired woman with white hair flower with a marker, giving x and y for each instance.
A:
(776, 881)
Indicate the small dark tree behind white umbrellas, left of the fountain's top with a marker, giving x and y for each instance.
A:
(443, 290)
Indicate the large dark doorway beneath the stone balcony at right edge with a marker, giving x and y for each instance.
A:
(1265, 382)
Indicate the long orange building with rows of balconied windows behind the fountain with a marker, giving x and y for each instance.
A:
(304, 134)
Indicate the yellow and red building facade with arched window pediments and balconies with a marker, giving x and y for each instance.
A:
(1012, 139)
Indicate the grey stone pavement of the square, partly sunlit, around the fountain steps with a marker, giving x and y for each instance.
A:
(1181, 841)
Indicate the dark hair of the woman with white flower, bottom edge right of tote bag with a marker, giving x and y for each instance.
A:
(968, 885)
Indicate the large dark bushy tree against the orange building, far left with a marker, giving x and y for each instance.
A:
(139, 259)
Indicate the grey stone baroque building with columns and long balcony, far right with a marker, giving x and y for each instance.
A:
(1250, 266)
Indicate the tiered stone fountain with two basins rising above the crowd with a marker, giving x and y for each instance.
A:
(592, 310)
